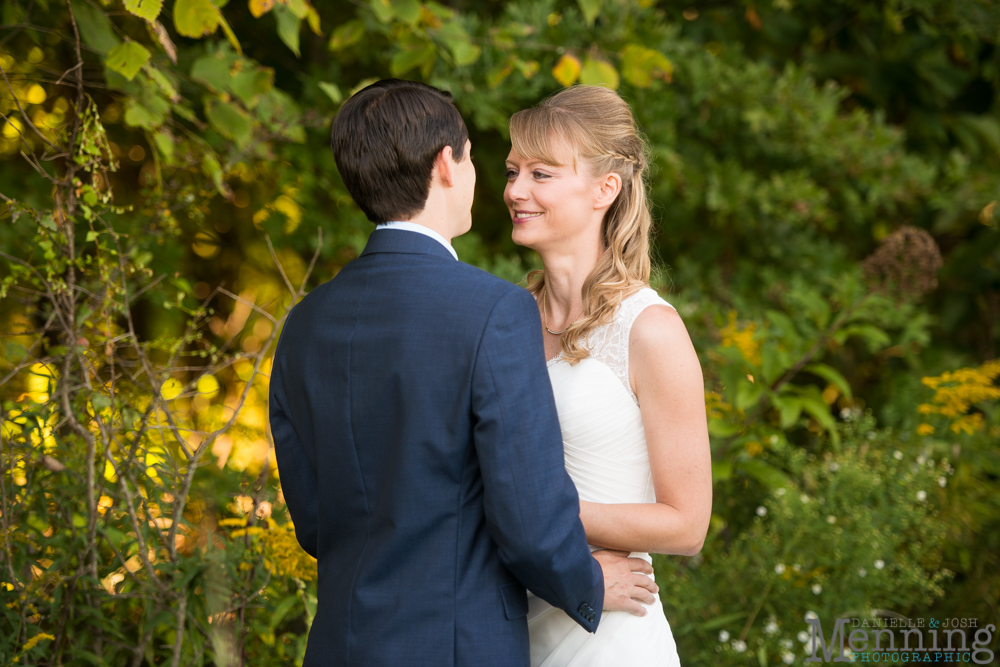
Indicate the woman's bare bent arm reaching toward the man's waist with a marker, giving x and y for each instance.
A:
(667, 379)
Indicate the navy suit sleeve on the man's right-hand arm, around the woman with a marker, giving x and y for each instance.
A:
(532, 507)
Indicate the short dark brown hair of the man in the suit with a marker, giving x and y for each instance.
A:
(385, 139)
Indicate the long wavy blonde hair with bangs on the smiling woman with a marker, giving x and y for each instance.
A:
(599, 126)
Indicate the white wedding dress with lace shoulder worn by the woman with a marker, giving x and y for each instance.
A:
(605, 451)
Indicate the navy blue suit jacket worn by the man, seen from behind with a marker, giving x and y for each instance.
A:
(421, 459)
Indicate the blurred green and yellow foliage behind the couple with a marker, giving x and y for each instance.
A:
(825, 185)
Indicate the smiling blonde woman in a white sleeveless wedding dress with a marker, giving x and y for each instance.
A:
(626, 379)
